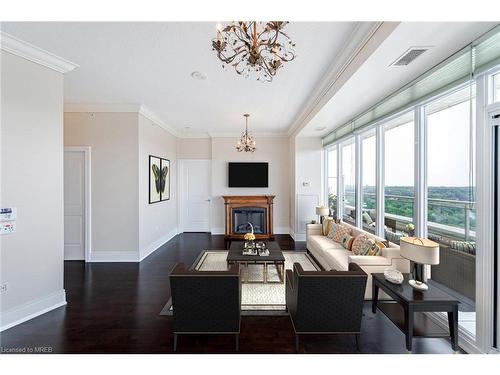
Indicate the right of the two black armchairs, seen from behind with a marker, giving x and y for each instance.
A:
(325, 302)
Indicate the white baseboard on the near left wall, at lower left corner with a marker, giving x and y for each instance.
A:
(32, 309)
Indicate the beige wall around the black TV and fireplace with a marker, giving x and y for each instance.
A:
(273, 150)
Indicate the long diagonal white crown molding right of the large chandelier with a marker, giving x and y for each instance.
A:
(363, 41)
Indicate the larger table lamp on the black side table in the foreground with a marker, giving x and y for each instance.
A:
(420, 251)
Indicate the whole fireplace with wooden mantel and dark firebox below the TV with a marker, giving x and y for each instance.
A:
(255, 209)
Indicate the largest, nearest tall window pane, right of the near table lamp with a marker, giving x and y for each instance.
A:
(451, 208)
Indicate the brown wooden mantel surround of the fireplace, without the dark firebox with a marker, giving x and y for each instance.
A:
(241, 201)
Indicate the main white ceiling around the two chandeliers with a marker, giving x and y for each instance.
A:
(151, 64)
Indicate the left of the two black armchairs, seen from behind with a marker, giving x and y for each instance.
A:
(206, 302)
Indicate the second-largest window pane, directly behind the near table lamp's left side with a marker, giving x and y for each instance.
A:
(399, 190)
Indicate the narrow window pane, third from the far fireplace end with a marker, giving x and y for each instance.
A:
(368, 178)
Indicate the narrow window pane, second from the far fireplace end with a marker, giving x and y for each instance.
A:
(349, 181)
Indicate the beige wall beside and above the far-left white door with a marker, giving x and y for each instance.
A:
(114, 174)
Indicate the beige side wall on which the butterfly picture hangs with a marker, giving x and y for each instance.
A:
(158, 221)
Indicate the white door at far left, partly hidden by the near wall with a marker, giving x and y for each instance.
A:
(74, 205)
